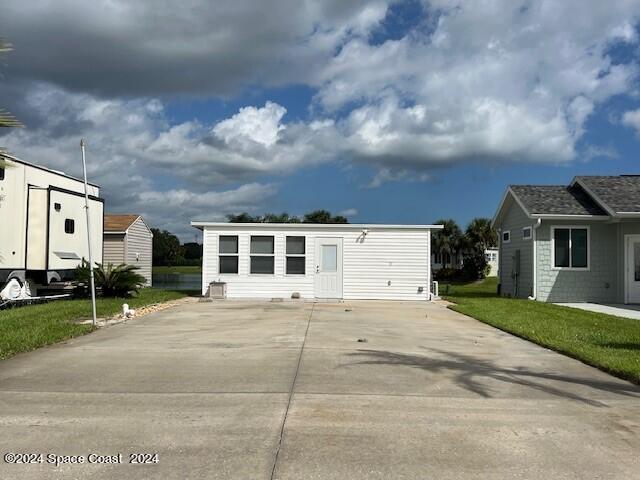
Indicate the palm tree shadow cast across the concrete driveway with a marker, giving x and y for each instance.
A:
(470, 372)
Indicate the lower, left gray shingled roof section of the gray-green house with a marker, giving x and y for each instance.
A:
(556, 200)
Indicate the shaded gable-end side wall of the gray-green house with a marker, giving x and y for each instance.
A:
(515, 219)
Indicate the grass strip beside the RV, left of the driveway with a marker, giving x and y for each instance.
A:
(27, 328)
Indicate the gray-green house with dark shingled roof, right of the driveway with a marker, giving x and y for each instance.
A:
(575, 243)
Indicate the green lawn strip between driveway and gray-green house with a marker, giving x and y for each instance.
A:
(604, 341)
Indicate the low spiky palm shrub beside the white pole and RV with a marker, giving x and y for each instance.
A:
(113, 281)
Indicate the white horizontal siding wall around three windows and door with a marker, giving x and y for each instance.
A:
(388, 264)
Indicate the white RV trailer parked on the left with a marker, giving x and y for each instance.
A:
(43, 226)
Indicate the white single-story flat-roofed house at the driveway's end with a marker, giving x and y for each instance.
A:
(309, 261)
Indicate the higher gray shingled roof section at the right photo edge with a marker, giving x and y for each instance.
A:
(619, 193)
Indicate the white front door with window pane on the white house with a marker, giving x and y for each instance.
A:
(328, 276)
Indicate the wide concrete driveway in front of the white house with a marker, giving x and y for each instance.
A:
(285, 390)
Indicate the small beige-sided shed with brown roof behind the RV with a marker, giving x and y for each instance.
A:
(128, 239)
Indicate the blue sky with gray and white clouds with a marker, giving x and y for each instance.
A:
(387, 111)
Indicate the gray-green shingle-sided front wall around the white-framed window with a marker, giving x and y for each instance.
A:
(598, 284)
